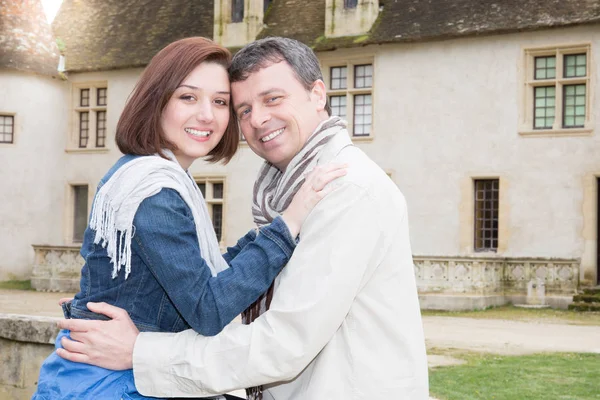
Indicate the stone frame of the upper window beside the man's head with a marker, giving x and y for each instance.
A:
(351, 91)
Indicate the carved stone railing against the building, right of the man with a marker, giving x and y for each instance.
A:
(477, 282)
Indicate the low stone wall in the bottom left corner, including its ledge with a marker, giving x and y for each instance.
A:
(25, 341)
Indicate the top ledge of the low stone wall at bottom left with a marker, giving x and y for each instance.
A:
(27, 328)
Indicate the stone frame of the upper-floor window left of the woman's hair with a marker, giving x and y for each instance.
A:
(93, 109)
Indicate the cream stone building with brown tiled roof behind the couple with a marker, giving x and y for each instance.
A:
(484, 114)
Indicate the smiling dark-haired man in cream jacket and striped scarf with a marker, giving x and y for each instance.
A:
(344, 319)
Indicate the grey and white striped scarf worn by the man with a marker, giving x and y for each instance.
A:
(273, 193)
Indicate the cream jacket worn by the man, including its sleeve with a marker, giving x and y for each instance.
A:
(344, 322)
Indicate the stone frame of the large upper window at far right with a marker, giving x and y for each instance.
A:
(559, 82)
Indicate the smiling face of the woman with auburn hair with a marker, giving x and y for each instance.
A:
(197, 114)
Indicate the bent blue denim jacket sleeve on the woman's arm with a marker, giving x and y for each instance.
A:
(166, 240)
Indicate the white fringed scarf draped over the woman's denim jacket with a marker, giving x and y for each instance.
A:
(118, 200)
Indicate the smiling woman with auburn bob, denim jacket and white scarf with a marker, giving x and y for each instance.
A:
(149, 216)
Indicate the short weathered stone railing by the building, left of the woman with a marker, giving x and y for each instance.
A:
(56, 268)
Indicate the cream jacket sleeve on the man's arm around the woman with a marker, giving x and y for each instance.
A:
(340, 241)
